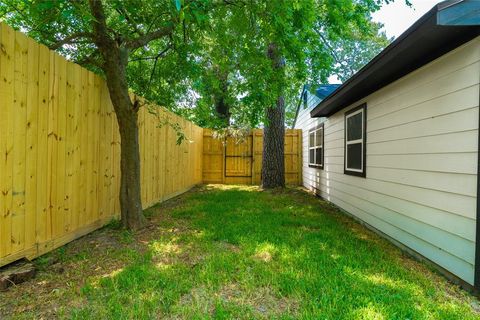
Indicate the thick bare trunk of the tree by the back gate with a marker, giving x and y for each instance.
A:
(273, 163)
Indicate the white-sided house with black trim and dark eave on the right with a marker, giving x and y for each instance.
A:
(396, 145)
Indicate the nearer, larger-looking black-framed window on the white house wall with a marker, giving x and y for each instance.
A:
(355, 141)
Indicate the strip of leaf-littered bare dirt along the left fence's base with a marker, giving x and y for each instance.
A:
(64, 272)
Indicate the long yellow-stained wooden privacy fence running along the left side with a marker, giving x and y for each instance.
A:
(60, 151)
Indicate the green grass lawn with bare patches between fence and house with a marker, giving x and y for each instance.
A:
(235, 252)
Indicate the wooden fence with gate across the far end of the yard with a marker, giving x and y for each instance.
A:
(231, 162)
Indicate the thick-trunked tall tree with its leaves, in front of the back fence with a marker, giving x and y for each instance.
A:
(283, 49)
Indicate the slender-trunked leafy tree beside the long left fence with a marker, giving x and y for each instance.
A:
(104, 35)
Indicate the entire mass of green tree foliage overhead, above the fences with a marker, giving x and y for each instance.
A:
(215, 55)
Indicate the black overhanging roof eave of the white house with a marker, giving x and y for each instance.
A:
(376, 73)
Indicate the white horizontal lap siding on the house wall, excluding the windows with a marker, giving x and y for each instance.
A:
(422, 137)
